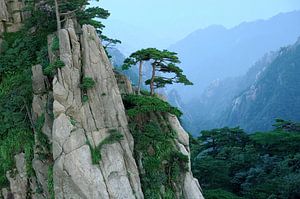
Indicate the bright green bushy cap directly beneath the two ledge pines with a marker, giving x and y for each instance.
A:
(138, 104)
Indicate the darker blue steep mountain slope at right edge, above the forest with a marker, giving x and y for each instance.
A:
(275, 94)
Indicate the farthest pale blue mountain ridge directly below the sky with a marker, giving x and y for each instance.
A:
(217, 53)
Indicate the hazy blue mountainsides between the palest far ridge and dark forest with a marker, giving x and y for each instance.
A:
(269, 90)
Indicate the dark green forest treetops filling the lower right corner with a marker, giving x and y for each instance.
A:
(261, 165)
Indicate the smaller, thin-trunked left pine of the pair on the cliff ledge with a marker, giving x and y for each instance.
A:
(138, 57)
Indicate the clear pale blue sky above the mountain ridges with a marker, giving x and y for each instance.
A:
(160, 23)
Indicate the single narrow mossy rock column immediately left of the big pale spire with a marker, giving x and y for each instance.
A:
(41, 115)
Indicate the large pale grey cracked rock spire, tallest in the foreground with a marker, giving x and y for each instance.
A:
(80, 126)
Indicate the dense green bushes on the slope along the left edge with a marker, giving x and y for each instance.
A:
(19, 54)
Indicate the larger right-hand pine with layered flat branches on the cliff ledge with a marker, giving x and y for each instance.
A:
(165, 62)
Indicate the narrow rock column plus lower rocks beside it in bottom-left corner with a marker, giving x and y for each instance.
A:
(23, 185)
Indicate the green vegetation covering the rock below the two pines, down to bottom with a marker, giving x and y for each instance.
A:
(162, 163)
